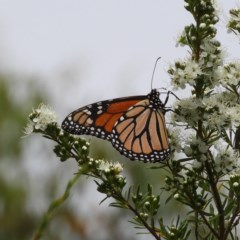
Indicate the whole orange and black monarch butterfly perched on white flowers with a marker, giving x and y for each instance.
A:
(134, 125)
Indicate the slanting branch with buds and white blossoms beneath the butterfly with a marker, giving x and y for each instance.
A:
(107, 177)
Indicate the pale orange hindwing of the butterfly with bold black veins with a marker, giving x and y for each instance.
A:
(140, 134)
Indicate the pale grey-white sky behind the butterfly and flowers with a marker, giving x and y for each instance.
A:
(85, 51)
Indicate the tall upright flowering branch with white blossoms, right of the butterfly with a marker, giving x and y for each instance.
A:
(207, 118)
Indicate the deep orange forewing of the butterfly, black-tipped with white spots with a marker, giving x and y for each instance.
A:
(98, 119)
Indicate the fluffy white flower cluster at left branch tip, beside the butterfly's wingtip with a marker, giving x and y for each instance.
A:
(40, 118)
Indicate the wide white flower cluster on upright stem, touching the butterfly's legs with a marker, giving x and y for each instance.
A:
(216, 111)
